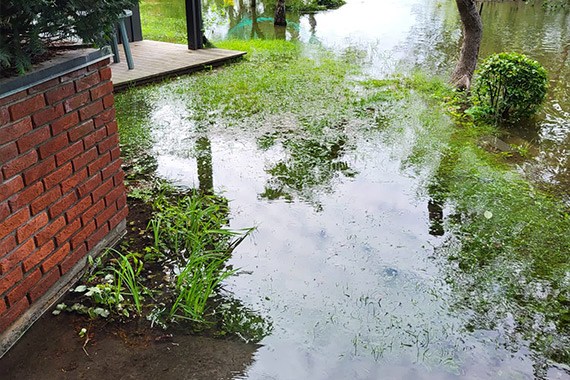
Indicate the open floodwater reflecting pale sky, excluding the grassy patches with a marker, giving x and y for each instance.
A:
(343, 262)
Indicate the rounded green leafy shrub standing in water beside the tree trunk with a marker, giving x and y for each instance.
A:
(509, 87)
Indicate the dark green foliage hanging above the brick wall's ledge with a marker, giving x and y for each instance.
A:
(28, 27)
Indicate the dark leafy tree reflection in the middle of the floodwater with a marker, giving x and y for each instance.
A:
(312, 164)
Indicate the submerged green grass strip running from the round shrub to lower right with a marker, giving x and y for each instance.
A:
(507, 251)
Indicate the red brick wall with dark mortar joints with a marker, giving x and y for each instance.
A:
(61, 188)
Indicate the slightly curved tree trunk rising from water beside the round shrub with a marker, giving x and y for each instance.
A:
(472, 33)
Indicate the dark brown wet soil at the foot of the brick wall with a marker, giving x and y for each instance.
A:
(53, 348)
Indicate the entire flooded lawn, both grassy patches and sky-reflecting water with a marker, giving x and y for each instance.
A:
(389, 243)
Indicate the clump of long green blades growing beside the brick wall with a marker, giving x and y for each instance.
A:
(191, 230)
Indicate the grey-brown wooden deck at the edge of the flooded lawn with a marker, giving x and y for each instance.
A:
(157, 60)
